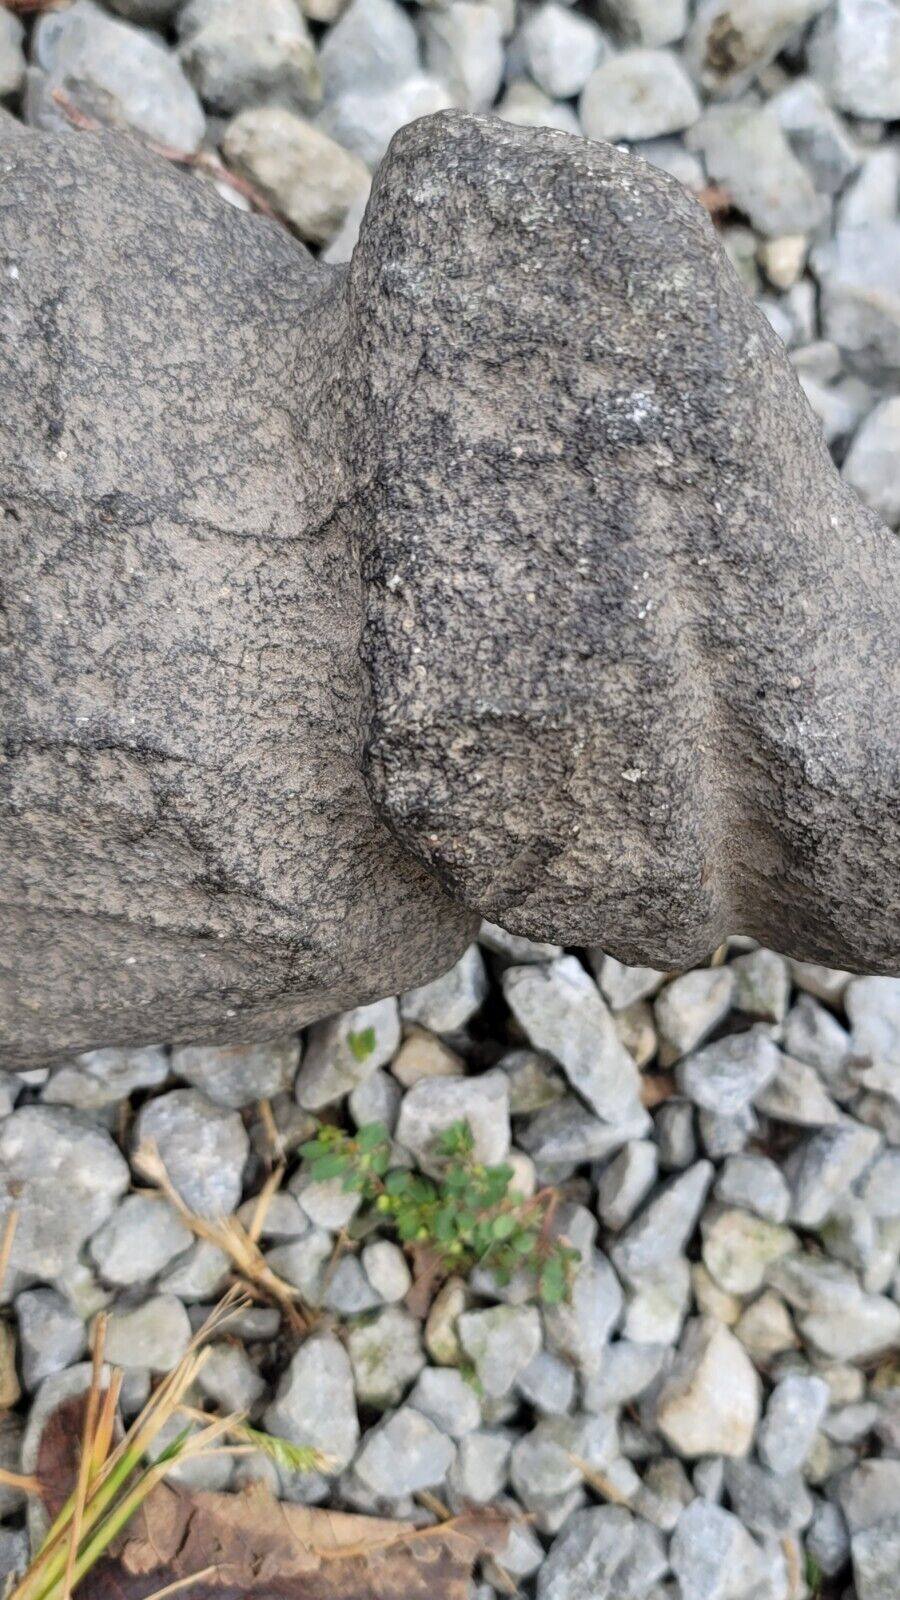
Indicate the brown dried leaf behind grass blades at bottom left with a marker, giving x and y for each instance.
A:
(228, 1546)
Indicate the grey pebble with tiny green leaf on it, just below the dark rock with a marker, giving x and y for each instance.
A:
(345, 1052)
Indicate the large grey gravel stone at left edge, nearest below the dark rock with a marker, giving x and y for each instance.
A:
(65, 1177)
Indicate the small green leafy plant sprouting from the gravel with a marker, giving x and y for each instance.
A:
(468, 1218)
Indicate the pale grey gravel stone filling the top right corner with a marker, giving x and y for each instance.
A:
(856, 55)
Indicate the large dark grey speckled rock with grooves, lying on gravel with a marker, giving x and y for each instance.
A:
(500, 574)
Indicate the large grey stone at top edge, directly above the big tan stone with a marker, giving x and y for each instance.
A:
(249, 54)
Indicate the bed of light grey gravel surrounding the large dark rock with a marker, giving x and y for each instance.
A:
(728, 1140)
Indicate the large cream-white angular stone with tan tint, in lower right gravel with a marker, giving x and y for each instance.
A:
(710, 1402)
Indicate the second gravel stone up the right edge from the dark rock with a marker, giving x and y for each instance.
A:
(859, 271)
